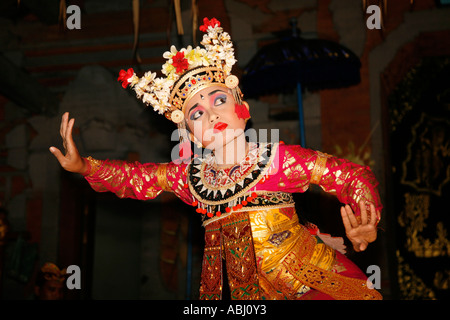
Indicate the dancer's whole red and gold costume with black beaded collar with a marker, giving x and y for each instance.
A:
(250, 219)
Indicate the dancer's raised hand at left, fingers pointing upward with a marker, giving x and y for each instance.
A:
(72, 160)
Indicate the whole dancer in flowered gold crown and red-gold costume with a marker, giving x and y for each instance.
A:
(242, 189)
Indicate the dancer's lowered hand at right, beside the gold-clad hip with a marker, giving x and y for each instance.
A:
(363, 230)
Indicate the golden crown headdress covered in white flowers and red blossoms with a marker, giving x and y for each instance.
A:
(186, 72)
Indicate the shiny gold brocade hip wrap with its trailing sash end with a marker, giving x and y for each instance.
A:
(291, 261)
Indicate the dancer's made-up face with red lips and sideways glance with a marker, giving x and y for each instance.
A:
(212, 116)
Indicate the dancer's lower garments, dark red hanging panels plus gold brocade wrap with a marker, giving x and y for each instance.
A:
(279, 259)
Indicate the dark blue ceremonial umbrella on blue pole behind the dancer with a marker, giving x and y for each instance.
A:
(293, 62)
